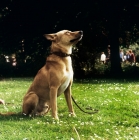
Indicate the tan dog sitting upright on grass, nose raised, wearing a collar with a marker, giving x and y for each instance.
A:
(54, 78)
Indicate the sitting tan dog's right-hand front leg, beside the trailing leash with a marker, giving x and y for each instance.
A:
(67, 94)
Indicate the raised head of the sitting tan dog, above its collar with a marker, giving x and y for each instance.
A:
(65, 37)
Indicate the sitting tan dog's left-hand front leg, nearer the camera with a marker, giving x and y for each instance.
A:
(53, 102)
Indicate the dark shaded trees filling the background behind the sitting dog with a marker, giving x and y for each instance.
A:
(23, 23)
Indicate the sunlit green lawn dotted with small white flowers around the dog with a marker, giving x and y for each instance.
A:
(117, 119)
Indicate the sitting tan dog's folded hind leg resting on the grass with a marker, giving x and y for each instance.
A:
(30, 103)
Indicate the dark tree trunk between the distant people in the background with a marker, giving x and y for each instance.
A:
(116, 69)
